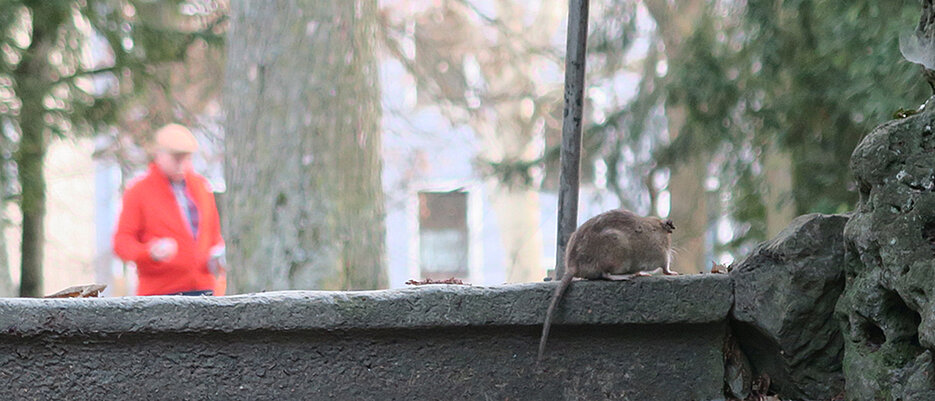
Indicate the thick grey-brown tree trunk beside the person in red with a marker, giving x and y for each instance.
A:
(304, 207)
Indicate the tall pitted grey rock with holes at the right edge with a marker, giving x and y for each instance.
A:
(887, 308)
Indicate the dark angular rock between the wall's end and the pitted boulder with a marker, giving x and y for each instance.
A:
(785, 293)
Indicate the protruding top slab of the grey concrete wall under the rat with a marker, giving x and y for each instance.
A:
(650, 300)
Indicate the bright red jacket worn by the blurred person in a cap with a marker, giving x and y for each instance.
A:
(150, 212)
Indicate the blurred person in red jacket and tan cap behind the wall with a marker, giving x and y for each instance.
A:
(169, 225)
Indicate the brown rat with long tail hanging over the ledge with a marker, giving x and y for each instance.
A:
(614, 245)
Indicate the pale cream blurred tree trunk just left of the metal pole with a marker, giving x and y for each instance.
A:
(510, 137)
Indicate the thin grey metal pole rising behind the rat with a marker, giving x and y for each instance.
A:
(577, 43)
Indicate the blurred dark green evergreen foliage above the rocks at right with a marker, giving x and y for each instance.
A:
(802, 79)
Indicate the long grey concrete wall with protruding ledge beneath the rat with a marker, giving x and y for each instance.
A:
(648, 339)
